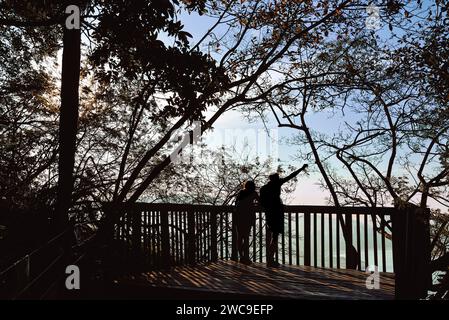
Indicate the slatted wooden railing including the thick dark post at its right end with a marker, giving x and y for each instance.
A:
(385, 239)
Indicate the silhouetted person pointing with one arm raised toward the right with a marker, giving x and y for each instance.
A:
(270, 199)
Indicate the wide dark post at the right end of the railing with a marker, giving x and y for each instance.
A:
(411, 252)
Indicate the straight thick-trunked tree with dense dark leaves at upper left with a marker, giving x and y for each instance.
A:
(125, 36)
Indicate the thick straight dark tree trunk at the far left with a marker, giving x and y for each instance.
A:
(68, 122)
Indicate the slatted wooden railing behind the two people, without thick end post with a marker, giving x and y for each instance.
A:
(176, 234)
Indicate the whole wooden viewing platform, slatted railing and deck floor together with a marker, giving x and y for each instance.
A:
(188, 252)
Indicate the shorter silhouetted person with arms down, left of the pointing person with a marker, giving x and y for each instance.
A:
(245, 218)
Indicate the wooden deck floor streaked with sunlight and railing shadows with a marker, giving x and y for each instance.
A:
(231, 280)
